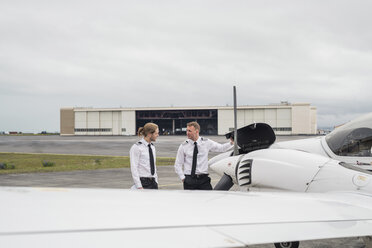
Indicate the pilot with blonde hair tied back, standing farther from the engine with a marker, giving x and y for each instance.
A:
(143, 158)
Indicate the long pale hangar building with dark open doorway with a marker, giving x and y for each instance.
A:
(284, 118)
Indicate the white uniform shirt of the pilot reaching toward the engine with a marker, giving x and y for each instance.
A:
(186, 151)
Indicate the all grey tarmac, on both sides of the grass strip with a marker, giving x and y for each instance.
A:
(116, 178)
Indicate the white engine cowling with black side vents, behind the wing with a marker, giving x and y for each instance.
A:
(281, 169)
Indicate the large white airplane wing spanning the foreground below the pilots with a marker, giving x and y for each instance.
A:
(54, 217)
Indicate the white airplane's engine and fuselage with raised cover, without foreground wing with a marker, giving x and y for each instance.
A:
(307, 165)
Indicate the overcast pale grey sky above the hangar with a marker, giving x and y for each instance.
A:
(112, 53)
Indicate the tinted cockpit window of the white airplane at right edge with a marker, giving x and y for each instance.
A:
(352, 142)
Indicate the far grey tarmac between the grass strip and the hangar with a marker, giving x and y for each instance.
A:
(166, 146)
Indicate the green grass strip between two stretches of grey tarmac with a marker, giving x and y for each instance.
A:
(31, 162)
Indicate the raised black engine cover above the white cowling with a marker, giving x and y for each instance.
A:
(254, 137)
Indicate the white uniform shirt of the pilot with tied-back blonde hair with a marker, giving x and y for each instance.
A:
(140, 162)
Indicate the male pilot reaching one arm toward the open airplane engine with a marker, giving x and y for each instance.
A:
(192, 155)
